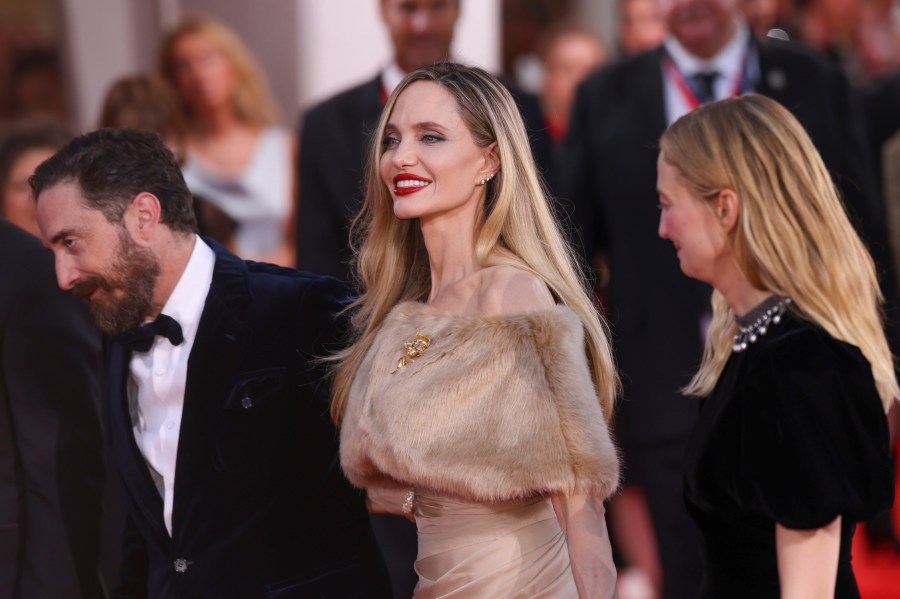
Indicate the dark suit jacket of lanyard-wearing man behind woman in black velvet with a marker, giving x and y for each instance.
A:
(609, 169)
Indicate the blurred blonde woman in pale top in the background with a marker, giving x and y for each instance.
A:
(236, 156)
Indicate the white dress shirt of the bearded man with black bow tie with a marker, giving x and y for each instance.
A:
(157, 382)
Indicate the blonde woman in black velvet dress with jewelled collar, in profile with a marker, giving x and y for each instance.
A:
(791, 447)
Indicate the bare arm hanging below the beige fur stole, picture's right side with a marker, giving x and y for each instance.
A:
(582, 520)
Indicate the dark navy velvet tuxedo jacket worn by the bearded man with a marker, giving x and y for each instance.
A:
(261, 507)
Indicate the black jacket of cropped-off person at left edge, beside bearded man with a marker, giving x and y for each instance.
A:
(51, 443)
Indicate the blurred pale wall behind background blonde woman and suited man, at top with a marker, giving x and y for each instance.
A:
(309, 49)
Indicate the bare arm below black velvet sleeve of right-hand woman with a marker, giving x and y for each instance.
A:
(807, 560)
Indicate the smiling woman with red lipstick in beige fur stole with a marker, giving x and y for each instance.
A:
(476, 396)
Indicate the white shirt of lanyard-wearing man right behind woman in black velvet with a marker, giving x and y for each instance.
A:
(729, 63)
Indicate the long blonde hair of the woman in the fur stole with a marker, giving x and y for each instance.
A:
(517, 227)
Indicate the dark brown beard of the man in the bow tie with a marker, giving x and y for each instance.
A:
(127, 287)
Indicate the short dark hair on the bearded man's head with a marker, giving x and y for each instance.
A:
(112, 166)
